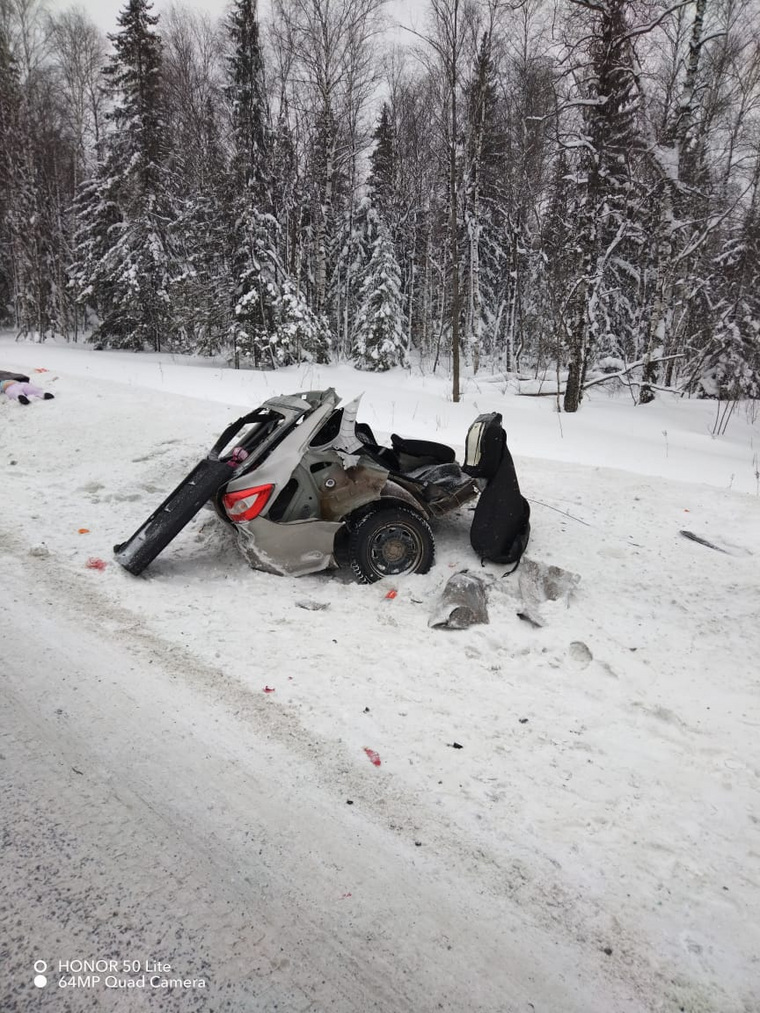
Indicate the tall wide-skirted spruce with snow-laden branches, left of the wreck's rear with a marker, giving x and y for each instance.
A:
(126, 261)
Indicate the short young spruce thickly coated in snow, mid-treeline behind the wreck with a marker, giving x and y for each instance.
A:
(379, 343)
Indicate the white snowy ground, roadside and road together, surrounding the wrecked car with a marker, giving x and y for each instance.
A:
(593, 846)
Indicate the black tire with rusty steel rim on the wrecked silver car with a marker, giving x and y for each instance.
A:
(391, 541)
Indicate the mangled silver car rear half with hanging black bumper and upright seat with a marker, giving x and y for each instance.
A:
(308, 488)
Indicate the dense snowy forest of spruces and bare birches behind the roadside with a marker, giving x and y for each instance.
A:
(570, 188)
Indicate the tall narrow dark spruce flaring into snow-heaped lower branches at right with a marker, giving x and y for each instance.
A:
(272, 325)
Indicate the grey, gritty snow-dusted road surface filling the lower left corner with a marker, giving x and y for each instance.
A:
(141, 836)
